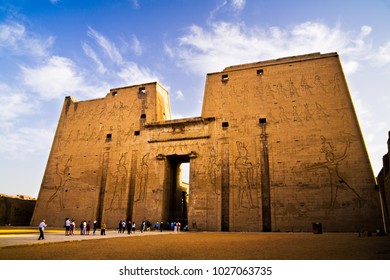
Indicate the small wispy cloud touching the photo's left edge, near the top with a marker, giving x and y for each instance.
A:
(16, 40)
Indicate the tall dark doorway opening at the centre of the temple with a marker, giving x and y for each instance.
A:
(176, 193)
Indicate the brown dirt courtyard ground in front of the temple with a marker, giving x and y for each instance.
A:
(211, 246)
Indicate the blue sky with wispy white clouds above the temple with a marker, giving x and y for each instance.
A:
(50, 49)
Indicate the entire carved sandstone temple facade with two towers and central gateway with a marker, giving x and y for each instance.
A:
(277, 147)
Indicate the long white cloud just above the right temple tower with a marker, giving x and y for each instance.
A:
(221, 44)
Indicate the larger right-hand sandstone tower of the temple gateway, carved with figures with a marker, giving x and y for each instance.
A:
(297, 113)
